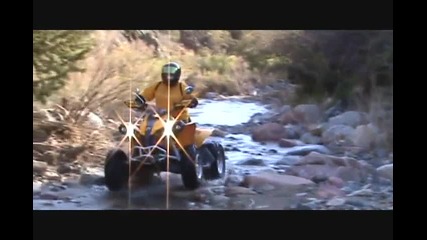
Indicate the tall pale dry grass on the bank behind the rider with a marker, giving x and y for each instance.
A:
(116, 66)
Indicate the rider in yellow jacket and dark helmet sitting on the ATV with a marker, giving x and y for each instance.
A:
(171, 73)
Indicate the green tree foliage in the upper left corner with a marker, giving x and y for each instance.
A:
(55, 55)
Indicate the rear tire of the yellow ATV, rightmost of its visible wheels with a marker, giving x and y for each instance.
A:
(218, 167)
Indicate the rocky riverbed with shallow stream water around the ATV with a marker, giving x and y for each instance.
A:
(278, 158)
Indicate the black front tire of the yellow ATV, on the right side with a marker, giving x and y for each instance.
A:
(188, 169)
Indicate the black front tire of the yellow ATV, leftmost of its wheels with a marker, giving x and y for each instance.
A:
(116, 170)
